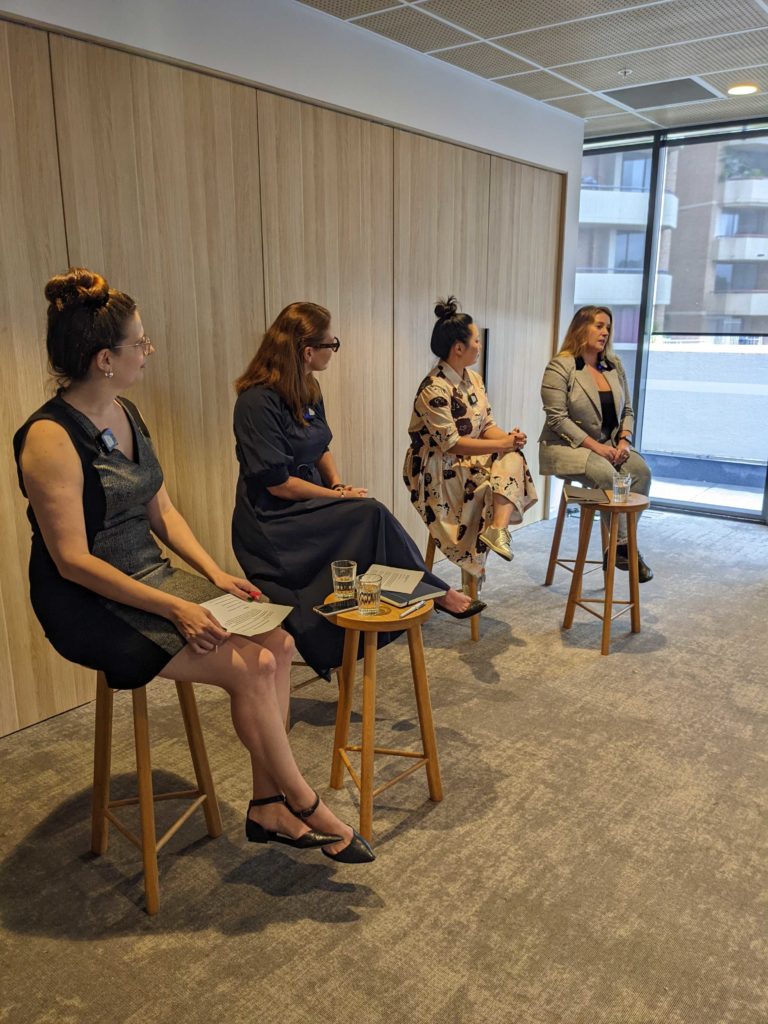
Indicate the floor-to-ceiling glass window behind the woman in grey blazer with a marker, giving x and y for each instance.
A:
(698, 353)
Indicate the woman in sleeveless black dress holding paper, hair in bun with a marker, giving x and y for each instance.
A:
(100, 585)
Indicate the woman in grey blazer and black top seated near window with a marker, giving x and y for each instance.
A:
(588, 434)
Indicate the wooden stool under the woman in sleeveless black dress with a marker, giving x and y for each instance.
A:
(102, 807)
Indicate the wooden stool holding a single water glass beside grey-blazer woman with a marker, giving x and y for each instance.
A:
(634, 505)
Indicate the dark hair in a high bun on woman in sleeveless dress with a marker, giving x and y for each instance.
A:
(84, 317)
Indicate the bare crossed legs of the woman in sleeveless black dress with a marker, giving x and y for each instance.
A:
(249, 673)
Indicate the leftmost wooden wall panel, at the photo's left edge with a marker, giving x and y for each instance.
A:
(34, 681)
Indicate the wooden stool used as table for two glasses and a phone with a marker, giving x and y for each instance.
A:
(388, 622)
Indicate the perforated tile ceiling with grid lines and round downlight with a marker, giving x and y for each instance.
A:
(570, 54)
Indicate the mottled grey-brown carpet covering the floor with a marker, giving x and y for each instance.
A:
(601, 855)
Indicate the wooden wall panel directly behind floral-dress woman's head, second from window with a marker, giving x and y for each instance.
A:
(441, 248)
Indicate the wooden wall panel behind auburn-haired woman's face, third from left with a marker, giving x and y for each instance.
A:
(327, 202)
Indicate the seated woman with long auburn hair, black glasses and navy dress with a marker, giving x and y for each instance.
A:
(293, 516)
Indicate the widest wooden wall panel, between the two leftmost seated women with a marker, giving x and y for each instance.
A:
(161, 190)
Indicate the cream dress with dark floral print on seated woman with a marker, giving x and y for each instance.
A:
(454, 494)
